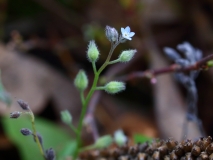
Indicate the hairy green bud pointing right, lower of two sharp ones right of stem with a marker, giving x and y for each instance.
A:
(114, 87)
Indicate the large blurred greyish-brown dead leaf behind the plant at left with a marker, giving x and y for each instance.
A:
(27, 78)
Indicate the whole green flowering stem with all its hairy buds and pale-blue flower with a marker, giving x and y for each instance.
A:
(113, 87)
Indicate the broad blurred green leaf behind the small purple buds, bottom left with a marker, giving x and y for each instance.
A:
(52, 136)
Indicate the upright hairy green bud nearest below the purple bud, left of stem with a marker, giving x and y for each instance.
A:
(92, 52)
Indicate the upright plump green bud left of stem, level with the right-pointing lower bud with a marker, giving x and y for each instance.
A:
(81, 81)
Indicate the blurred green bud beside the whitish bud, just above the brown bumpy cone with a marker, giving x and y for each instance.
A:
(103, 142)
